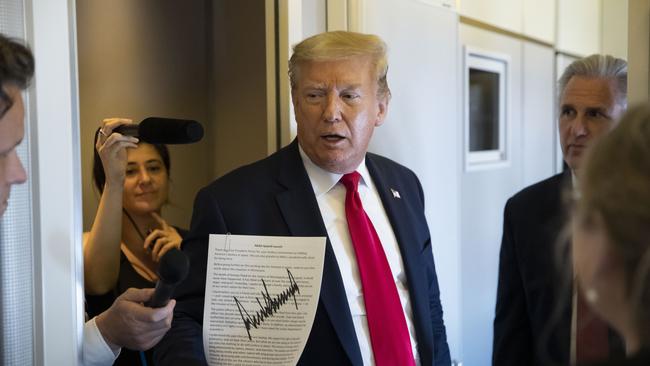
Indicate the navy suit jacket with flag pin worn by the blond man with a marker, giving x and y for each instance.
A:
(274, 197)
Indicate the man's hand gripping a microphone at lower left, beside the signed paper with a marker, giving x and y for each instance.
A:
(128, 323)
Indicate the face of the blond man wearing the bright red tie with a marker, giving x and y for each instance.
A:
(337, 110)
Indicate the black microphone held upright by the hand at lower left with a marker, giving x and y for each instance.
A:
(172, 270)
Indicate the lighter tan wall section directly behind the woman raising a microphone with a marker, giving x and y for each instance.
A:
(138, 59)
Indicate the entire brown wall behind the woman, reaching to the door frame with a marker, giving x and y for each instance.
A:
(204, 60)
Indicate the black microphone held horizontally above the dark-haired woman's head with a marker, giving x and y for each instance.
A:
(159, 130)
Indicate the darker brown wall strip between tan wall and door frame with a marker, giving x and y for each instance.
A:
(238, 84)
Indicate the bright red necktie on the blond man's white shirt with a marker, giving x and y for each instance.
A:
(389, 336)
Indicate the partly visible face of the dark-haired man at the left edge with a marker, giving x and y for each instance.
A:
(12, 130)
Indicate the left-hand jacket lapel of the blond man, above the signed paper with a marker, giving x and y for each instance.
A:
(302, 215)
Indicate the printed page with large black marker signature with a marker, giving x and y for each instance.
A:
(261, 296)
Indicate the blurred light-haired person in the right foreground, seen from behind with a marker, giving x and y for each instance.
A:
(611, 227)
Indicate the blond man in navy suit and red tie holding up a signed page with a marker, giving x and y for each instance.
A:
(379, 301)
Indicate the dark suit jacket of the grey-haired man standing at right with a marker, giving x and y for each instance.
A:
(532, 324)
